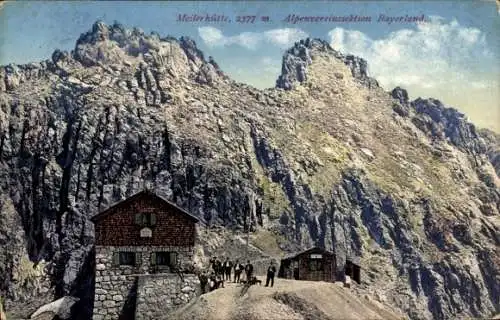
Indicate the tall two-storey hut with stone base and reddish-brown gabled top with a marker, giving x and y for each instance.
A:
(144, 258)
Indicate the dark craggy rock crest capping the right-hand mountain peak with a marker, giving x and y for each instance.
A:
(297, 58)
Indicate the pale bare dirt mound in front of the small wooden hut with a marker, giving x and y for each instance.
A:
(288, 299)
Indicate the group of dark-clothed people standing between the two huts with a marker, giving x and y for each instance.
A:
(222, 269)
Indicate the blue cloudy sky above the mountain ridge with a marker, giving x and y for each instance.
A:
(454, 55)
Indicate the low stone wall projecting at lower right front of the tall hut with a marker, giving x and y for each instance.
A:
(159, 294)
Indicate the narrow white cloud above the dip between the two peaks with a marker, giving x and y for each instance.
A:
(282, 38)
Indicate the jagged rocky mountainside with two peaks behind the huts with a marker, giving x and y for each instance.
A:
(327, 158)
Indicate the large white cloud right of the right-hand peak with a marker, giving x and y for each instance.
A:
(436, 53)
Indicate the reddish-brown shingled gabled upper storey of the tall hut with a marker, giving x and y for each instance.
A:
(145, 219)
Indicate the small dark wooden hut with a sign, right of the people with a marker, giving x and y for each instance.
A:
(315, 264)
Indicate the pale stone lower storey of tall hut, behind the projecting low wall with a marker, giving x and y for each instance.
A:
(115, 286)
